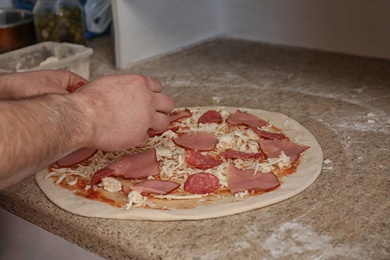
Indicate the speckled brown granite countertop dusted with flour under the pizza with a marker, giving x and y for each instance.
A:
(343, 100)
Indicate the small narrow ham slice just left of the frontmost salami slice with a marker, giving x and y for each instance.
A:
(152, 187)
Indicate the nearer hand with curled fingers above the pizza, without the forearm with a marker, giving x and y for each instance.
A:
(122, 108)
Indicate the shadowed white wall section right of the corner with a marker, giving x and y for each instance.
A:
(358, 27)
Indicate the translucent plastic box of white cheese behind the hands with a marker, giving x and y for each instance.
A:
(48, 55)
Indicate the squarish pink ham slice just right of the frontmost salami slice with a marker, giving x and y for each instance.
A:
(241, 180)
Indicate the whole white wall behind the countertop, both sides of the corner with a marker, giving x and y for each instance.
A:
(146, 28)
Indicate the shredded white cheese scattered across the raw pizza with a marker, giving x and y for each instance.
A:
(173, 166)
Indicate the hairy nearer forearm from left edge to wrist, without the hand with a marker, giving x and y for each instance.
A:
(36, 132)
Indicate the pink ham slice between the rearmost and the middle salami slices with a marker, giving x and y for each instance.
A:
(201, 141)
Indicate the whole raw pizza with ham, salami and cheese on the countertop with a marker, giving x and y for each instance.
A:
(210, 162)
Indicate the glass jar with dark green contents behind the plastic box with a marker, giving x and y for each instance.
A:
(59, 21)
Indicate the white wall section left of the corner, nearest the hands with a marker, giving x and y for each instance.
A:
(145, 28)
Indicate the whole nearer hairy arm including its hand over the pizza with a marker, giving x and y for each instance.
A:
(109, 113)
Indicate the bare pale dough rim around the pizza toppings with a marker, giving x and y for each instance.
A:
(307, 172)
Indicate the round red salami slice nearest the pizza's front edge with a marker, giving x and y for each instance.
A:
(201, 183)
